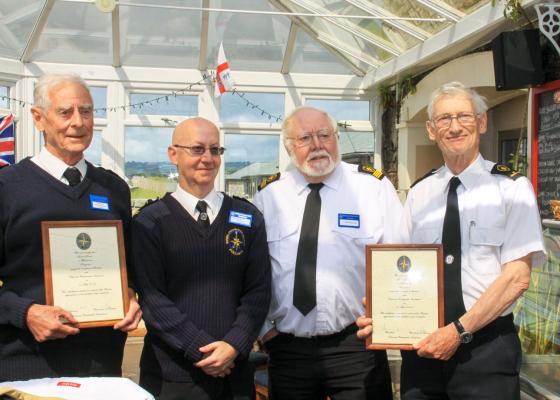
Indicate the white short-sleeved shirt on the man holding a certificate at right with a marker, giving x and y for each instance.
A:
(500, 222)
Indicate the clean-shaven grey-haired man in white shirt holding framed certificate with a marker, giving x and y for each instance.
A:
(486, 217)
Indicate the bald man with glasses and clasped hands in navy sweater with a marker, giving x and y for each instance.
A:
(204, 278)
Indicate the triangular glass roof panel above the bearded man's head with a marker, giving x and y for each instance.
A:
(309, 56)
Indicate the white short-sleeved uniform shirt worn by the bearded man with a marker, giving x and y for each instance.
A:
(340, 274)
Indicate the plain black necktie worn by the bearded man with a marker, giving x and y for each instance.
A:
(306, 261)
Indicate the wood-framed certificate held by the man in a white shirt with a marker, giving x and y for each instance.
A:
(404, 293)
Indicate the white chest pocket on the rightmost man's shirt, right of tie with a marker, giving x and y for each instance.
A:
(484, 249)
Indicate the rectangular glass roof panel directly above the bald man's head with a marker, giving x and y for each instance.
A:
(160, 36)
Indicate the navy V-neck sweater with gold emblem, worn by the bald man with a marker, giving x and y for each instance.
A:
(198, 286)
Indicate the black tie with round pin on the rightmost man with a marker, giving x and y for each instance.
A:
(451, 240)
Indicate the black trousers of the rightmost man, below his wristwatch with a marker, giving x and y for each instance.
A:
(485, 369)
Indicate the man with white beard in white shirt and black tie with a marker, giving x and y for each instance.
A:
(319, 217)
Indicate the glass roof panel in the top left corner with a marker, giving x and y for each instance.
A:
(17, 18)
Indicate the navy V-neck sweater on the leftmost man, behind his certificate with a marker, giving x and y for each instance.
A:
(29, 195)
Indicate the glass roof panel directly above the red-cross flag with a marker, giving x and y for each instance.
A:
(251, 41)
